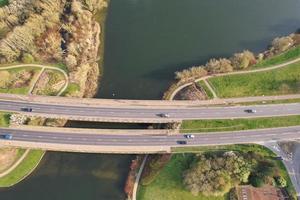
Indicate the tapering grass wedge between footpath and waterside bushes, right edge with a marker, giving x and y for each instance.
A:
(279, 59)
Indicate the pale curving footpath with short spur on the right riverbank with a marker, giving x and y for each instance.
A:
(232, 73)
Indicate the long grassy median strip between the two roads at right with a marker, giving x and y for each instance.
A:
(198, 126)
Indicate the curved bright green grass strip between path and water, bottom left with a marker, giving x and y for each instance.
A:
(23, 170)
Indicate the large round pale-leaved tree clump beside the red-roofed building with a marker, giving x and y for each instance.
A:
(215, 175)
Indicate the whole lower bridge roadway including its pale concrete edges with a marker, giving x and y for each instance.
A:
(124, 141)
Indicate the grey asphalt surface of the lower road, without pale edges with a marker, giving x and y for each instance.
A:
(218, 138)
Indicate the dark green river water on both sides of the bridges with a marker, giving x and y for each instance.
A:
(146, 42)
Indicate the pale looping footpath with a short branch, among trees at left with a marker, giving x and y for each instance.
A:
(43, 68)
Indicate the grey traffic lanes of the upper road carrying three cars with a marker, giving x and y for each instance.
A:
(184, 113)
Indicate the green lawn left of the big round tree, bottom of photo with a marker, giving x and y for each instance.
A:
(168, 184)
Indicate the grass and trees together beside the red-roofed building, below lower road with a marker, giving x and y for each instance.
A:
(221, 169)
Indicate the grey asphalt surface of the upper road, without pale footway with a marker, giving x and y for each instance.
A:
(149, 113)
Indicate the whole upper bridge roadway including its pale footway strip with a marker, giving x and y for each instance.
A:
(138, 111)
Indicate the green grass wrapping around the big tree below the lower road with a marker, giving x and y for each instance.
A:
(168, 184)
